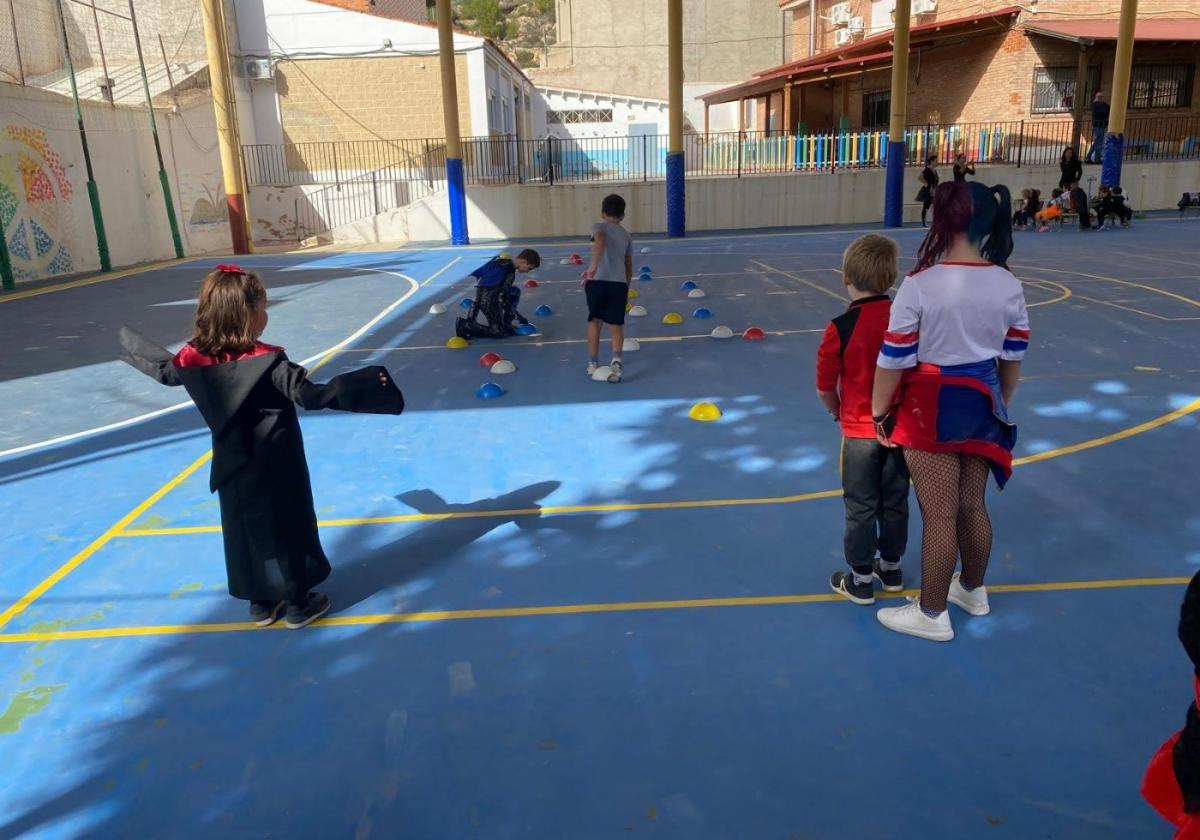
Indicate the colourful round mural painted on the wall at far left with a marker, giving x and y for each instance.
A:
(37, 217)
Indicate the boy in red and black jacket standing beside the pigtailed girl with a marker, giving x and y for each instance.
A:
(874, 478)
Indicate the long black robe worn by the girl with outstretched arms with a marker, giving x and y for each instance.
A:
(260, 472)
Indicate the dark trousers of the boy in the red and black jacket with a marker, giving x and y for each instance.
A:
(875, 489)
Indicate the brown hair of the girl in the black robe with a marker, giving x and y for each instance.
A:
(225, 314)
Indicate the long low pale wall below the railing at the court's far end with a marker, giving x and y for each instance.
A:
(721, 203)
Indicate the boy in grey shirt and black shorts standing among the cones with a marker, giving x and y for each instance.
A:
(607, 284)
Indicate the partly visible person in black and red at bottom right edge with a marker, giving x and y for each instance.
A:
(1172, 784)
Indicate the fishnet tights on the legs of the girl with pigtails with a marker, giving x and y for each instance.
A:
(951, 493)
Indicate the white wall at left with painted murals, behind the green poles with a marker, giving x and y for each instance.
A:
(43, 176)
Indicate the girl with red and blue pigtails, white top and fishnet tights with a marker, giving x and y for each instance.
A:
(950, 365)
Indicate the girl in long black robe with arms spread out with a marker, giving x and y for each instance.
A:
(248, 392)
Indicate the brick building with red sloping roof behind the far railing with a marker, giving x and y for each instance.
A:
(1005, 64)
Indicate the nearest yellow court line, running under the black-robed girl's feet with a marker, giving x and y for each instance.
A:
(553, 610)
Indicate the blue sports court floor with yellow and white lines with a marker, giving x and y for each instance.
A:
(573, 611)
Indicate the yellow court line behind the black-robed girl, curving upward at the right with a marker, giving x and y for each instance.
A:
(560, 511)
